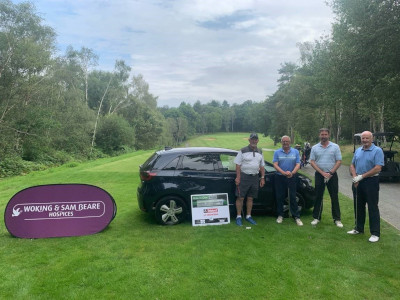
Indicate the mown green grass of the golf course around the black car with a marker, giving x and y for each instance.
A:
(134, 258)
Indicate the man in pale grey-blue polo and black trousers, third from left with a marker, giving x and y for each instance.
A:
(326, 158)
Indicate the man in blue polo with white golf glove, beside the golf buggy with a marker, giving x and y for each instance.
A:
(365, 167)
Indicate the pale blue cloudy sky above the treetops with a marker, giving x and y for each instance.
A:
(189, 50)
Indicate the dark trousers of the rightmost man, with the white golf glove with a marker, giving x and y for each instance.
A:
(367, 192)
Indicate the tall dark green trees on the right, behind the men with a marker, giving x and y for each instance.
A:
(348, 81)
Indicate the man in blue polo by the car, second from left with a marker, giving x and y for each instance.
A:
(287, 163)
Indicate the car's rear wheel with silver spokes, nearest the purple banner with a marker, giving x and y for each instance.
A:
(170, 211)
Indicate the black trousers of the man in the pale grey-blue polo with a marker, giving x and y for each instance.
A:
(333, 189)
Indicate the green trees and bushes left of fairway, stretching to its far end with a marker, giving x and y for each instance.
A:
(57, 108)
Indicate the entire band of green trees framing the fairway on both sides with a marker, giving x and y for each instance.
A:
(56, 108)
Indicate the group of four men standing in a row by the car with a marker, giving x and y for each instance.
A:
(326, 159)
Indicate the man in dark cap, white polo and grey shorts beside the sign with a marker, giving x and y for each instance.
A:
(249, 162)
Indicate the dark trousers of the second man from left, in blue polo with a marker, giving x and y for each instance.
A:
(283, 185)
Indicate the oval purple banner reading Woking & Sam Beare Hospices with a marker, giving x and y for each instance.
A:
(59, 210)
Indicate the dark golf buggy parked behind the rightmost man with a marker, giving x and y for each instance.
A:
(391, 169)
